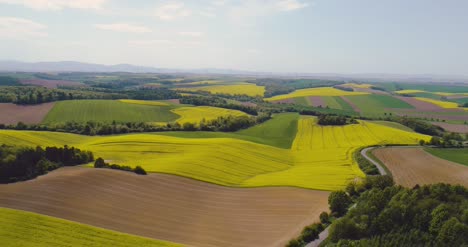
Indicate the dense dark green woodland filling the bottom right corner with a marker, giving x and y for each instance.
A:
(375, 212)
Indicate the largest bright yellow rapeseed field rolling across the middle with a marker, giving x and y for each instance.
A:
(320, 158)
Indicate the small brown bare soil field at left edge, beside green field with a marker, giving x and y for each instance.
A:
(30, 114)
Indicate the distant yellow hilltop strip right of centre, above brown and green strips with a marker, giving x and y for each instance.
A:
(320, 91)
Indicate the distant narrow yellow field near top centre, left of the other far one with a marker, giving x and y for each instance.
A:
(238, 88)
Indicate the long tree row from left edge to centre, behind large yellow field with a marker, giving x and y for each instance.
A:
(227, 124)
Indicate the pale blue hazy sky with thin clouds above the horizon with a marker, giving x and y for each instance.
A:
(308, 36)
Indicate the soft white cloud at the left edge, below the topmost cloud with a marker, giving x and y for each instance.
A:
(19, 28)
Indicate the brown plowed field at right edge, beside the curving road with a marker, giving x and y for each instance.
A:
(411, 166)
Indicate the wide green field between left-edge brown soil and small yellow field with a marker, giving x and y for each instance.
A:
(108, 111)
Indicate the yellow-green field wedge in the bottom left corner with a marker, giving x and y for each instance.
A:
(20, 228)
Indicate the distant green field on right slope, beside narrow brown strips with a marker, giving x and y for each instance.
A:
(377, 103)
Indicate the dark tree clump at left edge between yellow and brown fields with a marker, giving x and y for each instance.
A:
(23, 163)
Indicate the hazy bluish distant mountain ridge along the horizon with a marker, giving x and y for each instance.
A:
(73, 66)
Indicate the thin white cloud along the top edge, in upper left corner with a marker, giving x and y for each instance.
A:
(57, 4)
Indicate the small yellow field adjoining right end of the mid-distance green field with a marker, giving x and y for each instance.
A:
(197, 113)
